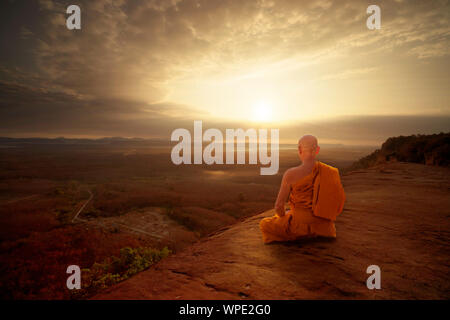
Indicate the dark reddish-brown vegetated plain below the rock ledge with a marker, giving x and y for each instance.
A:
(134, 188)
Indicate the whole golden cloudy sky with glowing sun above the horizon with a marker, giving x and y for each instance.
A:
(145, 68)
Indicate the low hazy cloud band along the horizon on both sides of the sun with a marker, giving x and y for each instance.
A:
(28, 112)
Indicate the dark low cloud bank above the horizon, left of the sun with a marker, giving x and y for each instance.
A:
(25, 110)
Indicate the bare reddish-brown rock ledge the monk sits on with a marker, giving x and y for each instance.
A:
(396, 217)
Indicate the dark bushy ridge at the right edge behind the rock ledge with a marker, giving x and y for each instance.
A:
(426, 149)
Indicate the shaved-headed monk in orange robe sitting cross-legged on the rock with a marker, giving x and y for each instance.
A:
(315, 195)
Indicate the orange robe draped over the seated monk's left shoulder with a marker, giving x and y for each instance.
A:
(315, 201)
